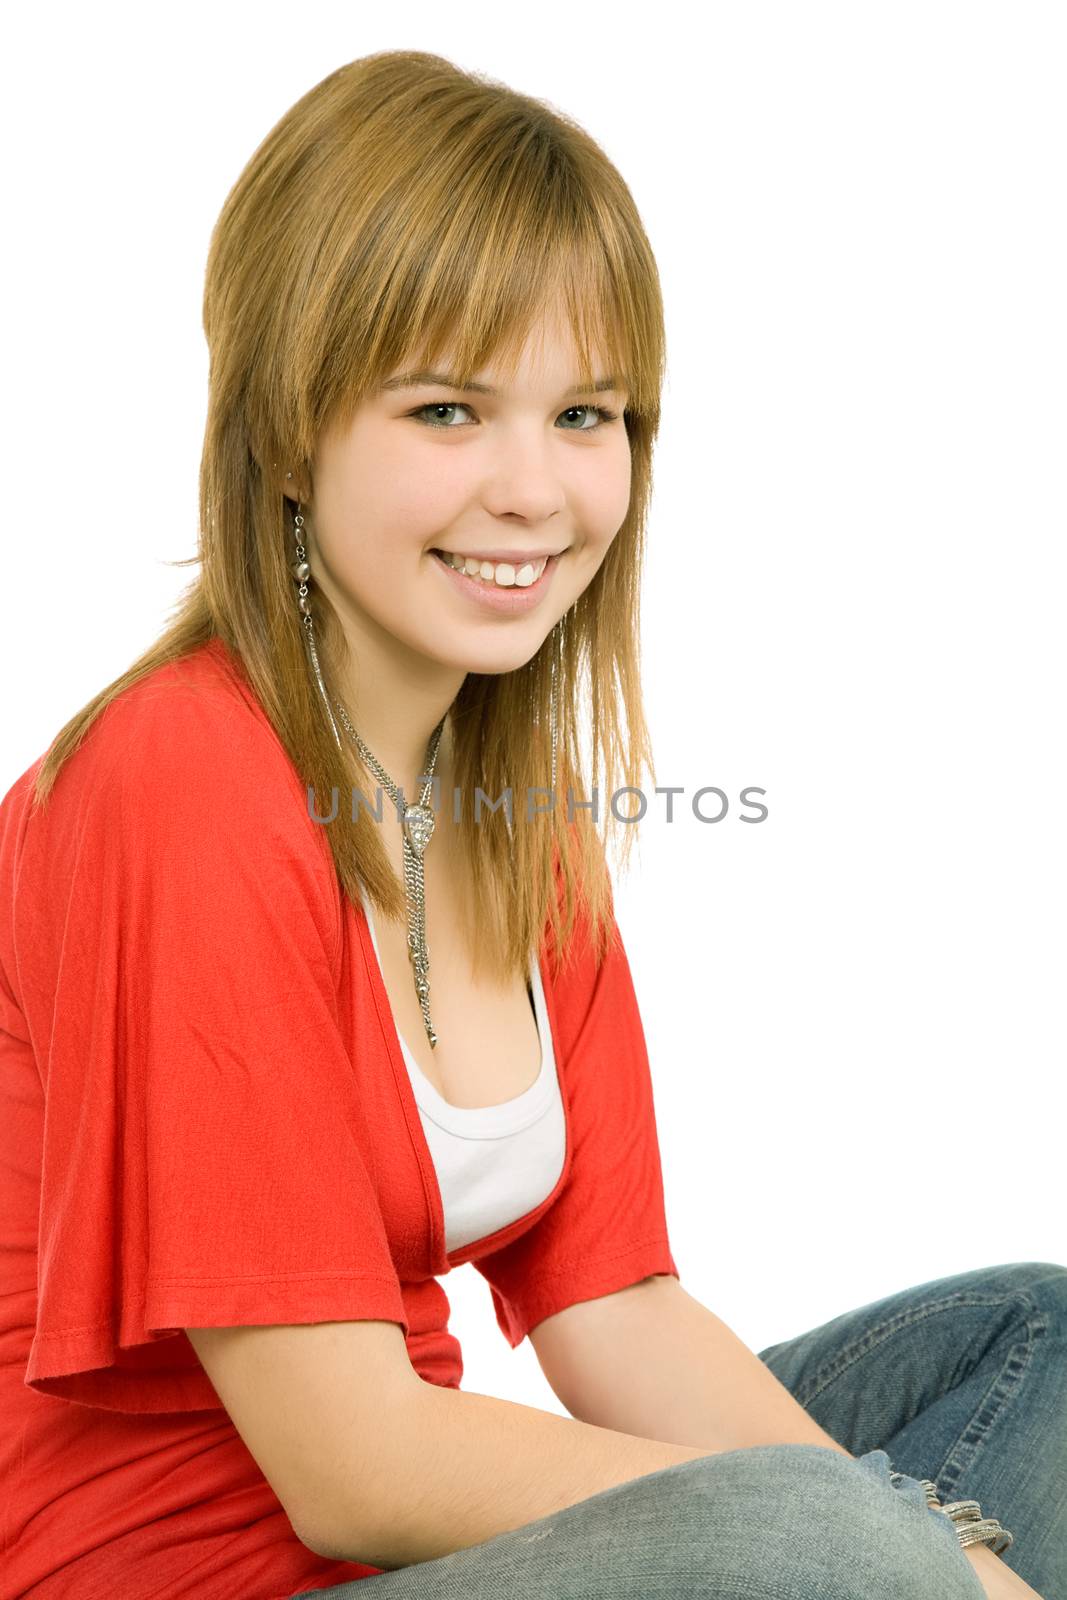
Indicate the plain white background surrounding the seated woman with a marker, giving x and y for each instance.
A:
(855, 593)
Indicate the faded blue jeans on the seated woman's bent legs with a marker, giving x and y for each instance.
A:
(962, 1380)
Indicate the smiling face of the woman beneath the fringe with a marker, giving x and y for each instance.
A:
(526, 473)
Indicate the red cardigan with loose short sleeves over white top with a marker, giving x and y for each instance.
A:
(206, 1121)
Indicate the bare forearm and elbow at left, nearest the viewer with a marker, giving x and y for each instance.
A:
(364, 1455)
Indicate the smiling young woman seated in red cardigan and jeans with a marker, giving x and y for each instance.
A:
(276, 1062)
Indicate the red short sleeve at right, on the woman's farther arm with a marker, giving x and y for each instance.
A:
(607, 1228)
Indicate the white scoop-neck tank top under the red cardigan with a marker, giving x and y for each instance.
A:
(494, 1164)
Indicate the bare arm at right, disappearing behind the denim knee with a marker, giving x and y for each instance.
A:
(652, 1361)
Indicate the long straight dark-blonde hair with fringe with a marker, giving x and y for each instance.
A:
(404, 207)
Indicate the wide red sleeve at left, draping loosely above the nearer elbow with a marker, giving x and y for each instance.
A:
(204, 1156)
